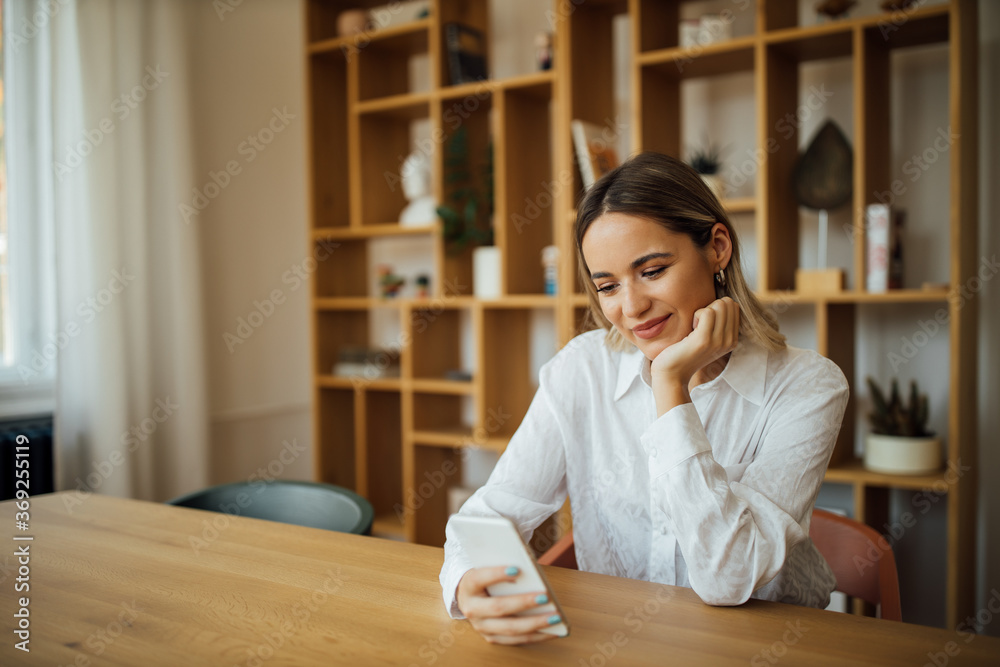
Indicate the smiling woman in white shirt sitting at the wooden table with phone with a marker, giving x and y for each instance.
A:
(690, 439)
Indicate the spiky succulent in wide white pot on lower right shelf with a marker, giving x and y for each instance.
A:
(899, 442)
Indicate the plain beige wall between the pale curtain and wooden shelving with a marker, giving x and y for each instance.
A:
(246, 64)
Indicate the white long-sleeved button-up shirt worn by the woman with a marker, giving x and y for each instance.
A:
(715, 495)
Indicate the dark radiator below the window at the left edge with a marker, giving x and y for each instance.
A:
(41, 472)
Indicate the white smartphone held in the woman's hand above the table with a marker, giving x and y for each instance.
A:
(492, 541)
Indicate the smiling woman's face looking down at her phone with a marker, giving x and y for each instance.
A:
(649, 280)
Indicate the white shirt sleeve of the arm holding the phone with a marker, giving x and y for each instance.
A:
(527, 485)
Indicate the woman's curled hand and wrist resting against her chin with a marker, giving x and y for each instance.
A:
(716, 330)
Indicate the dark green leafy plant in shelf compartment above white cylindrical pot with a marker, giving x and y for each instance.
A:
(467, 195)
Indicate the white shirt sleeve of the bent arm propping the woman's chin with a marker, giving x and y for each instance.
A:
(735, 537)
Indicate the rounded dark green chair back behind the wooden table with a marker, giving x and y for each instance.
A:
(300, 503)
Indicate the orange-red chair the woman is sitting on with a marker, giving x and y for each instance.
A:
(863, 568)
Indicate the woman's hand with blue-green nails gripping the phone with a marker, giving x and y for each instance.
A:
(493, 617)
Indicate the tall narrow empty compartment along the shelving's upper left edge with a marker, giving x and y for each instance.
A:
(328, 119)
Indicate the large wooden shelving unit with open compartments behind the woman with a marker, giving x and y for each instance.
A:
(399, 441)
